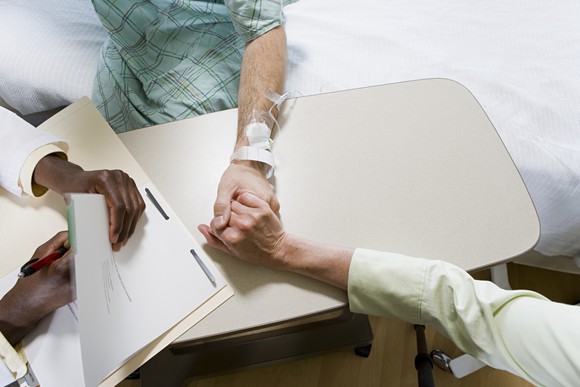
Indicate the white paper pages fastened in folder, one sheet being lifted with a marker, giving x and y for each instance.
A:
(127, 299)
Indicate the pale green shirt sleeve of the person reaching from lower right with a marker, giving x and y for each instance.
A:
(482, 319)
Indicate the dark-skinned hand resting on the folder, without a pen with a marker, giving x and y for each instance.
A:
(121, 193)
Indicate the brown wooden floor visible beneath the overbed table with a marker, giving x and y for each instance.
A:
(393, 351)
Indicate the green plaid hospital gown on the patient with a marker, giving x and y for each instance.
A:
(172, 59)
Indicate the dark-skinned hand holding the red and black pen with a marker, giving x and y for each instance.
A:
(39, 294)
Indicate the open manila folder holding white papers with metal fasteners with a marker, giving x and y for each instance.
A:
(131, 304)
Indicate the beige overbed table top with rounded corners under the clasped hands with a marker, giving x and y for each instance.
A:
(413, 167)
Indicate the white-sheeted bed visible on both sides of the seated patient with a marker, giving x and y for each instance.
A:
(520, 59)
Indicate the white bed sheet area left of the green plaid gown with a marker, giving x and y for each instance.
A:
(48, 52)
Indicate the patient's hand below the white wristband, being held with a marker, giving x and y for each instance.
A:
(241, 177)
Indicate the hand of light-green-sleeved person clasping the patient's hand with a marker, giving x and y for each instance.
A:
(254, 233)
